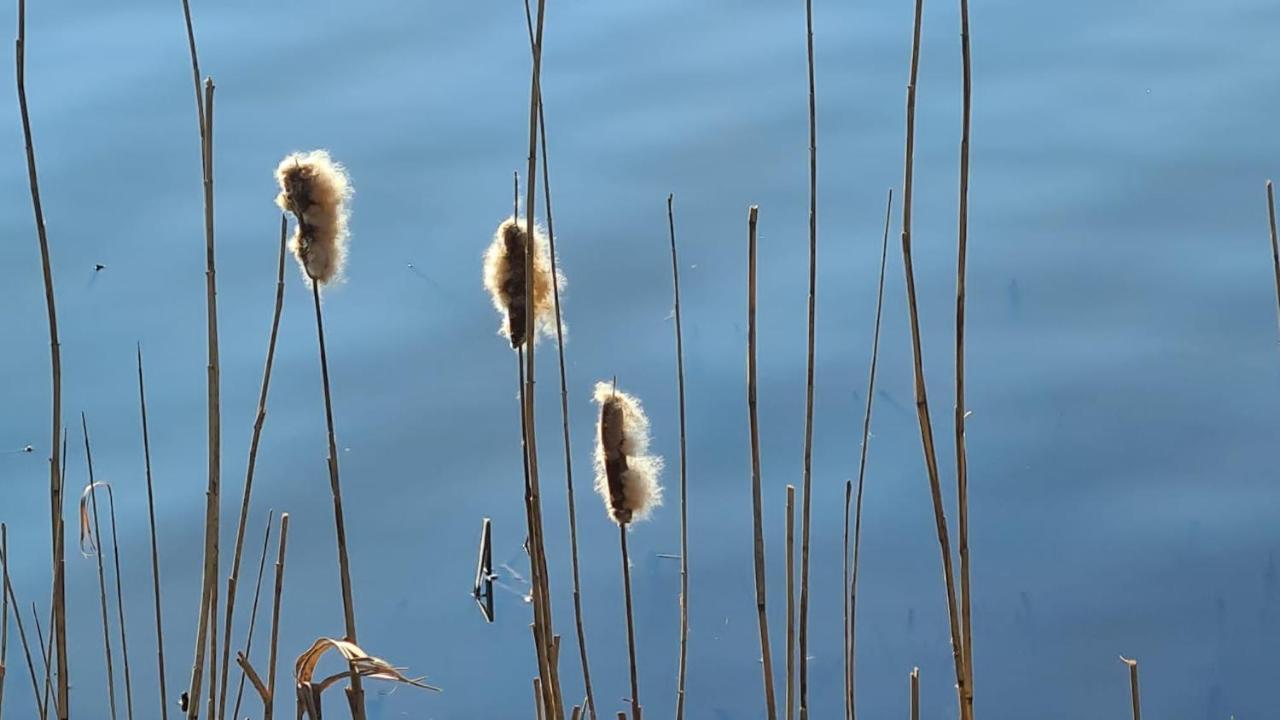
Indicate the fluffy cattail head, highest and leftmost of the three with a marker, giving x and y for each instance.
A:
(316, 189)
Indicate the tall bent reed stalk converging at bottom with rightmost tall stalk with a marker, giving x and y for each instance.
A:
(922, 403)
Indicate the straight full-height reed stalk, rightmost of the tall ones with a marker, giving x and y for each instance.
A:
(962, 452)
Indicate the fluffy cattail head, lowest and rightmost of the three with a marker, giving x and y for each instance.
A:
(627, 477)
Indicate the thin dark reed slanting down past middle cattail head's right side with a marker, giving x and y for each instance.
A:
(560, 348)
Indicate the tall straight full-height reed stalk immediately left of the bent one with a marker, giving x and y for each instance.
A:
(808, 413)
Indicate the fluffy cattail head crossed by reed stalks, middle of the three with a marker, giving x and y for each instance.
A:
(505, 280)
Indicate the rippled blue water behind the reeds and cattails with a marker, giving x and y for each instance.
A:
(1124, 371)
